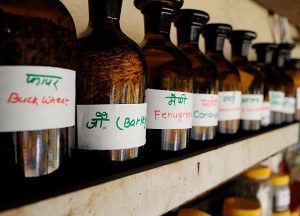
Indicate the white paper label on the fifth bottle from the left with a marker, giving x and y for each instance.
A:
(229, 105)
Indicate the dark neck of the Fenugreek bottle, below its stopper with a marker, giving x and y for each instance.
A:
(158, 22)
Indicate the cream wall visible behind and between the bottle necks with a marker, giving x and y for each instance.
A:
(241, 14)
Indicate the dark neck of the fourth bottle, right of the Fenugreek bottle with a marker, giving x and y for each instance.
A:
(188, 35)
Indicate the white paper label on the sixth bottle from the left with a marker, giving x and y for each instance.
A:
(251, 107)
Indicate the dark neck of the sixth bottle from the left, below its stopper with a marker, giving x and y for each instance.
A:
(240, 49)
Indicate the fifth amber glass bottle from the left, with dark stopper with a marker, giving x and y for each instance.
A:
(229, 78)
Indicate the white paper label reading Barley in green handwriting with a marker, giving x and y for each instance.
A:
(111, 126)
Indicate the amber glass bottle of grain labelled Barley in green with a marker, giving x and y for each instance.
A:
(111, 113)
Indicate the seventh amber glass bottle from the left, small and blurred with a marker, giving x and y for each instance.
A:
(273, 85)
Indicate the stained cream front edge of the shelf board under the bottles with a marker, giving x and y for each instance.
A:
(163, 188)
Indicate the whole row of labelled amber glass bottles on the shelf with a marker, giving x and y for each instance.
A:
(177, 92)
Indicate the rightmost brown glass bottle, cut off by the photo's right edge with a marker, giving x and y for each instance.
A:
(292, 68)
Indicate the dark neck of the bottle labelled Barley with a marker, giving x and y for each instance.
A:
(104, 12)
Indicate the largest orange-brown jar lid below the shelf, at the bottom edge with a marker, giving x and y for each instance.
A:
(236, 206)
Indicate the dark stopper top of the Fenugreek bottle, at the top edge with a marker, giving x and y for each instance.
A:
(173, 4)
